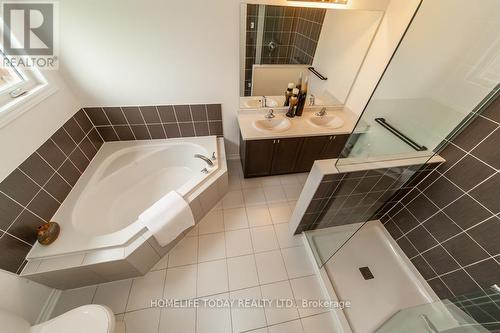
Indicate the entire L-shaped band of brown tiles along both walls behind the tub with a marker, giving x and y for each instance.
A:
(33, 192)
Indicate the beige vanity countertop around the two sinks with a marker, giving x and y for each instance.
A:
(300, 126)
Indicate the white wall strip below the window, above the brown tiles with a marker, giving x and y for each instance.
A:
(22, 136)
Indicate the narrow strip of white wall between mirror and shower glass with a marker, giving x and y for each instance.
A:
(396, 18)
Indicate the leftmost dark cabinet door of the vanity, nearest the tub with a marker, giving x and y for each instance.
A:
(258, 157)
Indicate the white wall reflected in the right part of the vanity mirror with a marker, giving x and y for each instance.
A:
(342, 46)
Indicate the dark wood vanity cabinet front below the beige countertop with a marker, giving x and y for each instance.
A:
(287, 155)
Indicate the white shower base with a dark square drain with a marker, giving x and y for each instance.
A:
(397, 284)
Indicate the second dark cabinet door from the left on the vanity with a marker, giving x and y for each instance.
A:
(285, 153)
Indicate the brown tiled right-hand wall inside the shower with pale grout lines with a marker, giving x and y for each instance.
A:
(449, 225)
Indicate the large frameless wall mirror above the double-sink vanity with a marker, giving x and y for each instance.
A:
(279, 44)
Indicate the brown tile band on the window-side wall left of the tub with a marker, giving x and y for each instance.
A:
(32, 193)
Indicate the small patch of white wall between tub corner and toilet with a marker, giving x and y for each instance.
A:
(22, 297)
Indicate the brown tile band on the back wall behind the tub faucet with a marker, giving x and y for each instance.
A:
(156, 122)
